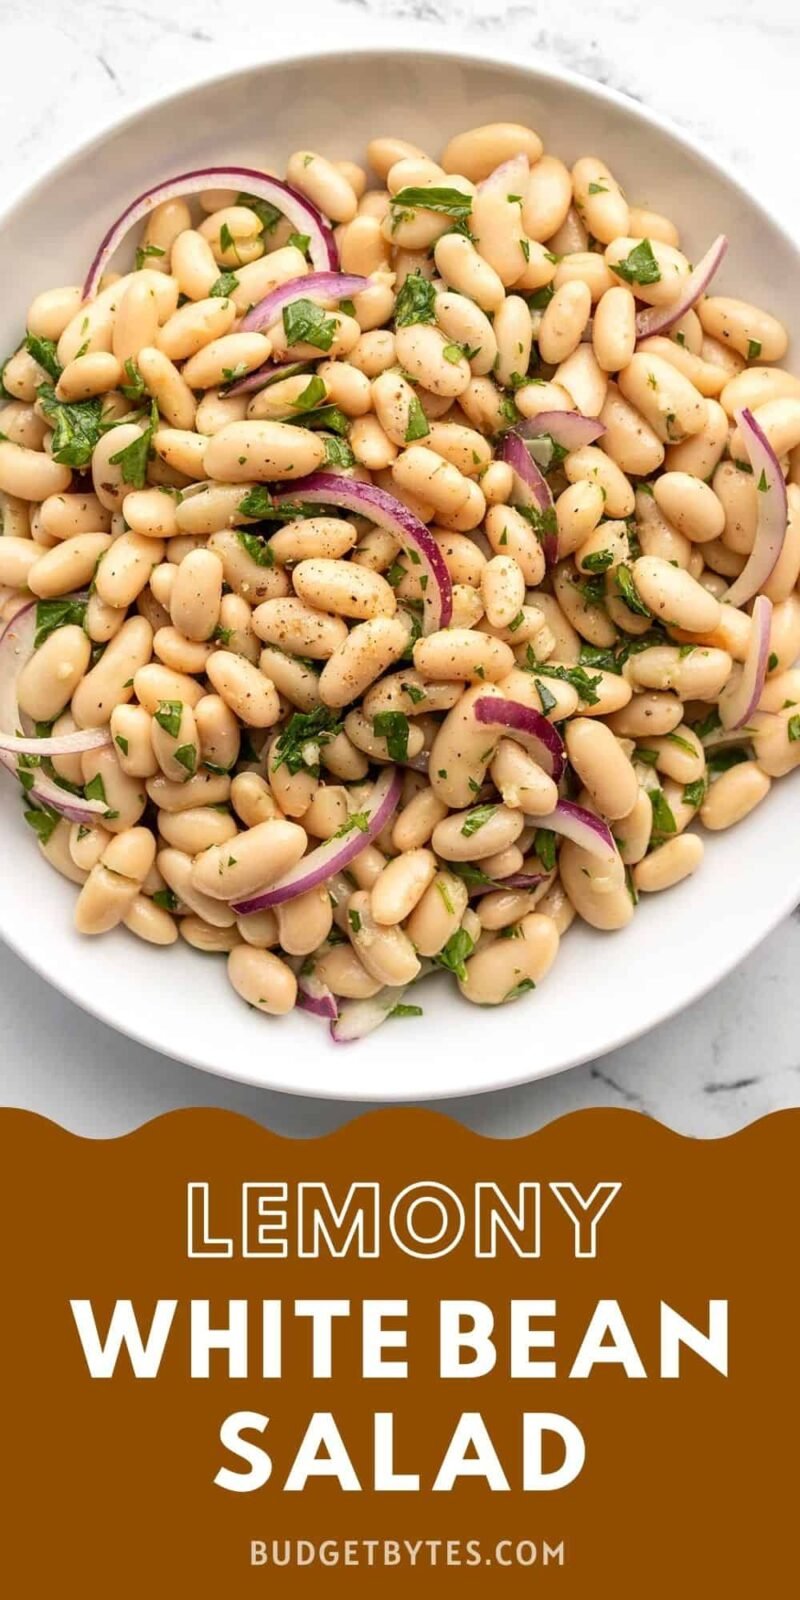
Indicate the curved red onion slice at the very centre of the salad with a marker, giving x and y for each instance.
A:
(367, 500)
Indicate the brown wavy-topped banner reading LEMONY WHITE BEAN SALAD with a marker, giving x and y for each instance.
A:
(598, 1326)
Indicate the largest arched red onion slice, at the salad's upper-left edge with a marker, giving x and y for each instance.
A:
(300, 212)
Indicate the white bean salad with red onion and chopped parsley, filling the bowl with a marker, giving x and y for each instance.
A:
(396, 564)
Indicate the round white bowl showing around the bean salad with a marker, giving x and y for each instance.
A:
(604, 991)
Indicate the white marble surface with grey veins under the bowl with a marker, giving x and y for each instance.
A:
(722, 70)
